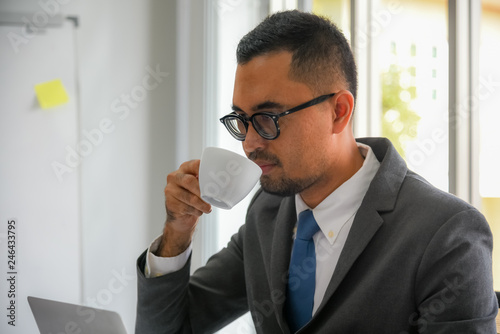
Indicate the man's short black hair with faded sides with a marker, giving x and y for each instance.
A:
(321, 55)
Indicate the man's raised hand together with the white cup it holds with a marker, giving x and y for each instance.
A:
(222, 178)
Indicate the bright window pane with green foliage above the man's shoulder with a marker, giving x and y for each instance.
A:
(412, 67)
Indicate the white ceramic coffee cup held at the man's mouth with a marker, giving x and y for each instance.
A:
(226, 177)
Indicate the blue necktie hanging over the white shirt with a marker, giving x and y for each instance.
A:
(302, 273)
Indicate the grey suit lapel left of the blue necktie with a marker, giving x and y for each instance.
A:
(280, 255)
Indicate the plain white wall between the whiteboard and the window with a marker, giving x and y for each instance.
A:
(122, 179)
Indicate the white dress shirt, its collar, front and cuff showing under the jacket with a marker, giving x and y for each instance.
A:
(334, 216)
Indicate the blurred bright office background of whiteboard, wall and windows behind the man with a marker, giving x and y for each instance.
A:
(100, 100)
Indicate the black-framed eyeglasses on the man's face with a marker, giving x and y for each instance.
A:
(265, 123)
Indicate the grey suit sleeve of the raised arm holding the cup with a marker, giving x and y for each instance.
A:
(208, 300)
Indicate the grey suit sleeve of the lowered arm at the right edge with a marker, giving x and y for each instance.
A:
(454, 287)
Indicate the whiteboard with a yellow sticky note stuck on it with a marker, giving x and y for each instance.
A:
(46, 244)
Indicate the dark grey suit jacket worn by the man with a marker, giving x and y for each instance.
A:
(417, 260)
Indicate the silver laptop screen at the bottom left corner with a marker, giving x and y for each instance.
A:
(53, 317)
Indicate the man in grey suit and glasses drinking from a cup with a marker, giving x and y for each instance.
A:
(390, 253)
